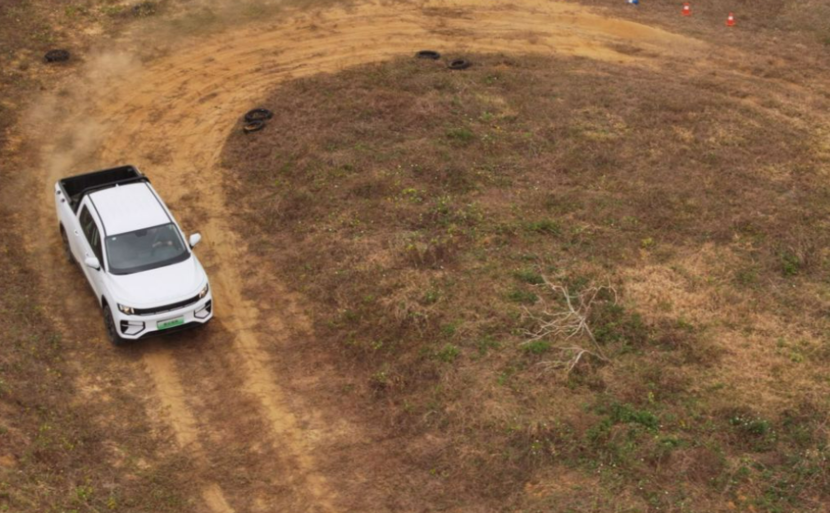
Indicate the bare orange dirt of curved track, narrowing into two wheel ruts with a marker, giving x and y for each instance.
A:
(172, 118)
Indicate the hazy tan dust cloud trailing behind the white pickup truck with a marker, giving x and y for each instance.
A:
(70, 111)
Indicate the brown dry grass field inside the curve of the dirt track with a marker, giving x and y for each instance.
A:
(426, 213)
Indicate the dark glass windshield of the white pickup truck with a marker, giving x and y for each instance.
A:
(145, 249)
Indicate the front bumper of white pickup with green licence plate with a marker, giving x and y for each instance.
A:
(133, 327)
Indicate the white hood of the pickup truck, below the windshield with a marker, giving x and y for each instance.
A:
(160, 286)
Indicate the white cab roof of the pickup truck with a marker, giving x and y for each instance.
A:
(127, 208)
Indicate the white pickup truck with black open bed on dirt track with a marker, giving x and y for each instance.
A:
(133, 253)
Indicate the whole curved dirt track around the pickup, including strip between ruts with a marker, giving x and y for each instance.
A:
(216, 390)
